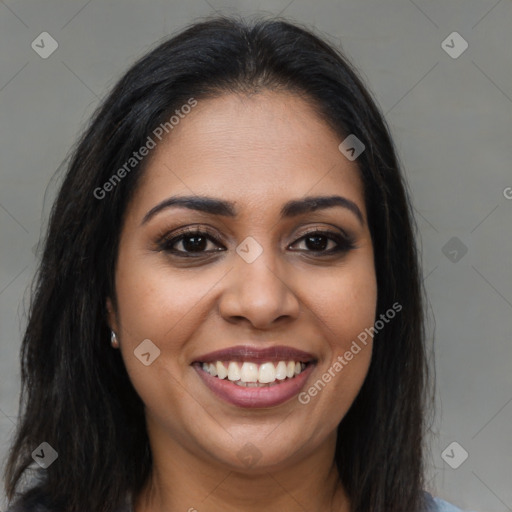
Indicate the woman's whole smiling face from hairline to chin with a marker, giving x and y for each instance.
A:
(258, 295)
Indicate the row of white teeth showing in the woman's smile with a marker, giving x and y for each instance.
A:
(251, 374)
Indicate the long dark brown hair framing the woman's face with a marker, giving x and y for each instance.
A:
(76, 394)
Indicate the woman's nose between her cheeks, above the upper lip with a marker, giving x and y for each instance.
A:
(259, 293)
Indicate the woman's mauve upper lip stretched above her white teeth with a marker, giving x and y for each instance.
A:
(256, 354)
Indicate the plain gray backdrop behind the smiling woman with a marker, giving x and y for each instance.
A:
(452, 123)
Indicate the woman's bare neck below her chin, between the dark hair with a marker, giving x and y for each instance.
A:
(181, 481)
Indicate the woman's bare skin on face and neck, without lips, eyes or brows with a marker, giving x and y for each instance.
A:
(258, 151)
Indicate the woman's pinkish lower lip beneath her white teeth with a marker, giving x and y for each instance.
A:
(267, 396)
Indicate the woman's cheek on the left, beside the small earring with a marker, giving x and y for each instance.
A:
(160, 306)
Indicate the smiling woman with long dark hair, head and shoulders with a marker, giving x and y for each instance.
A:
(228, 313)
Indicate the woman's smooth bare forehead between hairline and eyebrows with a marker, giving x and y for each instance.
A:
(255, 150)
